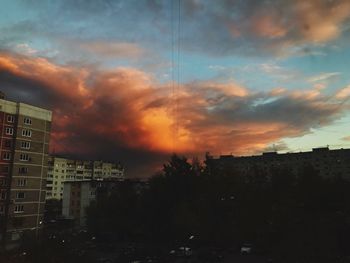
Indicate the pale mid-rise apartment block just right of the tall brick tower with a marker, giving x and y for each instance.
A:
(61, 170)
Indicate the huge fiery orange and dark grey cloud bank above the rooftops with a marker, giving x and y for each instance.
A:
(125, 114)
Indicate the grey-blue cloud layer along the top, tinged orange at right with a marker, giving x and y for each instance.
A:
(251, 27)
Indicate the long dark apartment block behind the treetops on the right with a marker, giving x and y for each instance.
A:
(327, 162)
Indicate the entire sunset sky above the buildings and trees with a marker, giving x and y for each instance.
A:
(137, 80)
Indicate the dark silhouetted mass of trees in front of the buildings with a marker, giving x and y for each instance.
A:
(280, 212)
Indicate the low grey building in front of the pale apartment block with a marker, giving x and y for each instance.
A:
(77, 195)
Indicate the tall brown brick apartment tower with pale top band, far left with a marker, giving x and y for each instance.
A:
(25, 134)
